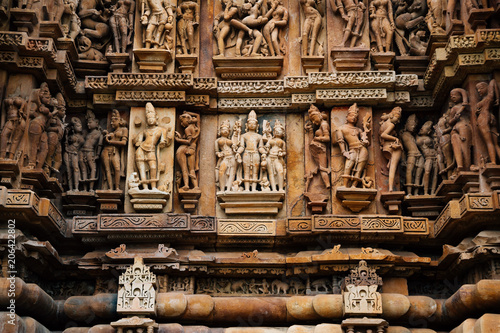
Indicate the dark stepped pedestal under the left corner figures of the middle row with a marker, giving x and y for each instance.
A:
(39, 181)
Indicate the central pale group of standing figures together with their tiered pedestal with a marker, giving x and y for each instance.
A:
(251, 169)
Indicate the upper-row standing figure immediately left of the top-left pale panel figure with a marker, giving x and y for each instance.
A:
(122, 24)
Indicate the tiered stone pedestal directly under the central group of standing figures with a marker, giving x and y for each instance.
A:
(251, 202)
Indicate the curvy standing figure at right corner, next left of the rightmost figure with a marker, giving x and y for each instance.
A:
(461, 134)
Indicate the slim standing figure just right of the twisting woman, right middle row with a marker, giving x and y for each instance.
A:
(414, 159)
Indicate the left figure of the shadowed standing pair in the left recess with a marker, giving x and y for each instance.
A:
(74, 142)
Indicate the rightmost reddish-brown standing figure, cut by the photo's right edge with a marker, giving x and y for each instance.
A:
(486, 121)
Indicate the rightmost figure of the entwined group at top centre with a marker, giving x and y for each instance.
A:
(275, 29)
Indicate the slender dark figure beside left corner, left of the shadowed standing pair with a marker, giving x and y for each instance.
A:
(55, 134)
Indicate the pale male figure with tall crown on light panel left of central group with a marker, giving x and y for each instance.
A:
(148, 153)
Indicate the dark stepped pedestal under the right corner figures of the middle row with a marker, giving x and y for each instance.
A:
(464, 182)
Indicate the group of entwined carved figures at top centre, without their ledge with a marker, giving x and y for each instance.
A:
(258, 26)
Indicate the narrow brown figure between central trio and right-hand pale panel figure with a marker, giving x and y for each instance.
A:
(318, 130)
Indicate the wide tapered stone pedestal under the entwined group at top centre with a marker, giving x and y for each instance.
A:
(243, 68)
